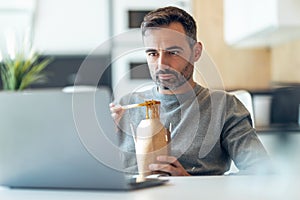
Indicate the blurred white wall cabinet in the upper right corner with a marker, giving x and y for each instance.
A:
(261, 23)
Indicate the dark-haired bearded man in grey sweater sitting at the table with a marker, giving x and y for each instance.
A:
(209, 128)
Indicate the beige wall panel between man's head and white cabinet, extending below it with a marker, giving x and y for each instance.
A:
(238, 68)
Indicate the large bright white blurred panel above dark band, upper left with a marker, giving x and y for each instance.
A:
(71, 27)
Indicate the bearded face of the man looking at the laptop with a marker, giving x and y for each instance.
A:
(169, 56)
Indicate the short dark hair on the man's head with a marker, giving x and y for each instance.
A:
(167, 15)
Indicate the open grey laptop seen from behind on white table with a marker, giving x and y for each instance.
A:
(55, 139)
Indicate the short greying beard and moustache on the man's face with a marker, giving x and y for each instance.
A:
(176, 79)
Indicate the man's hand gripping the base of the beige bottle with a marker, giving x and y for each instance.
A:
(170, 165)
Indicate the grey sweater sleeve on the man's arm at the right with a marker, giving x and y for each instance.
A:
(240, 140)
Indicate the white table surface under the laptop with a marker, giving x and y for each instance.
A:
(201, 187)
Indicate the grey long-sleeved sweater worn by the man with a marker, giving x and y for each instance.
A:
(209, 129)
